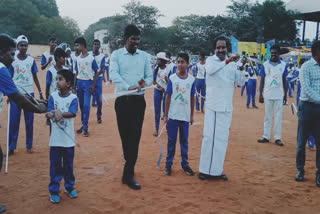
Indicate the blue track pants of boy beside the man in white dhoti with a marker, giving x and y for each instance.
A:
(173, 127)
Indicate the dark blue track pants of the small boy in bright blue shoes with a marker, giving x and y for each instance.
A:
(61, 166)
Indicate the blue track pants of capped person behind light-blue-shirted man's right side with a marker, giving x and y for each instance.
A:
(159, 98)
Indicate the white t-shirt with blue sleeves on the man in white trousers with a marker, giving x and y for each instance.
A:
(273, 73)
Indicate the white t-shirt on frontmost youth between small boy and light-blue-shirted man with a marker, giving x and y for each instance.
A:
(86, 67)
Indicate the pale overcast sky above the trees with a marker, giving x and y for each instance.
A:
(90, 11)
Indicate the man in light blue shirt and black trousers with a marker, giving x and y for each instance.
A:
(130, 69)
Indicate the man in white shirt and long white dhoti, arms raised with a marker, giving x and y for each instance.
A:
(221, 74)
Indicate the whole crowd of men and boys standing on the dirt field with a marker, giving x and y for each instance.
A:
(180, 88)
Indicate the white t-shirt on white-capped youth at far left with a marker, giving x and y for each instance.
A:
(23, 73)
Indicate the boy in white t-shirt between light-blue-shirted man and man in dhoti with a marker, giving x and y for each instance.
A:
(179, 112)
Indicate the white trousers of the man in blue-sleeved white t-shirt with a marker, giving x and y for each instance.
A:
(273, 107)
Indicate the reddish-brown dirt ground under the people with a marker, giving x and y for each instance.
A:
(261, 177)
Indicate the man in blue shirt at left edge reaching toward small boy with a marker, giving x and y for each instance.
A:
(7, 86)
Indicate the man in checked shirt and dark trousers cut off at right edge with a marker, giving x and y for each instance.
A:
(309, 111)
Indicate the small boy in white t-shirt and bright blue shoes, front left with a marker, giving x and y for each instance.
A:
(62, 109)
